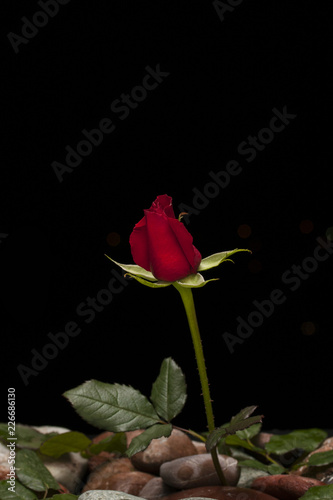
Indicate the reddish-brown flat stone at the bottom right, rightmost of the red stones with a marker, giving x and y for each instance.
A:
(285, 486)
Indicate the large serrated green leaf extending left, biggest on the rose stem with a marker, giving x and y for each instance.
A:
(116, 408)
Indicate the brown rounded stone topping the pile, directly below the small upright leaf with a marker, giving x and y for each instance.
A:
(162, 450)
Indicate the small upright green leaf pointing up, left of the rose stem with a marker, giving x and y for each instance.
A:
(169, 390)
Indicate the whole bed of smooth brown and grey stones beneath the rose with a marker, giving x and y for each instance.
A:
(173, 468)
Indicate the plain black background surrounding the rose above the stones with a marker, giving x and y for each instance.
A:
(224, 79)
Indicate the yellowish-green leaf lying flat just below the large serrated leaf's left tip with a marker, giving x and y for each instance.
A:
(64, 443)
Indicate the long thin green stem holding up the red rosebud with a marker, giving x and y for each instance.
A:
(187, 298)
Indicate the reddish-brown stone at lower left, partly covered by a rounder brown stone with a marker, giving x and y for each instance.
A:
(100, 477)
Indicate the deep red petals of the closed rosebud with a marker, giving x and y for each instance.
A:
(160, 243)
